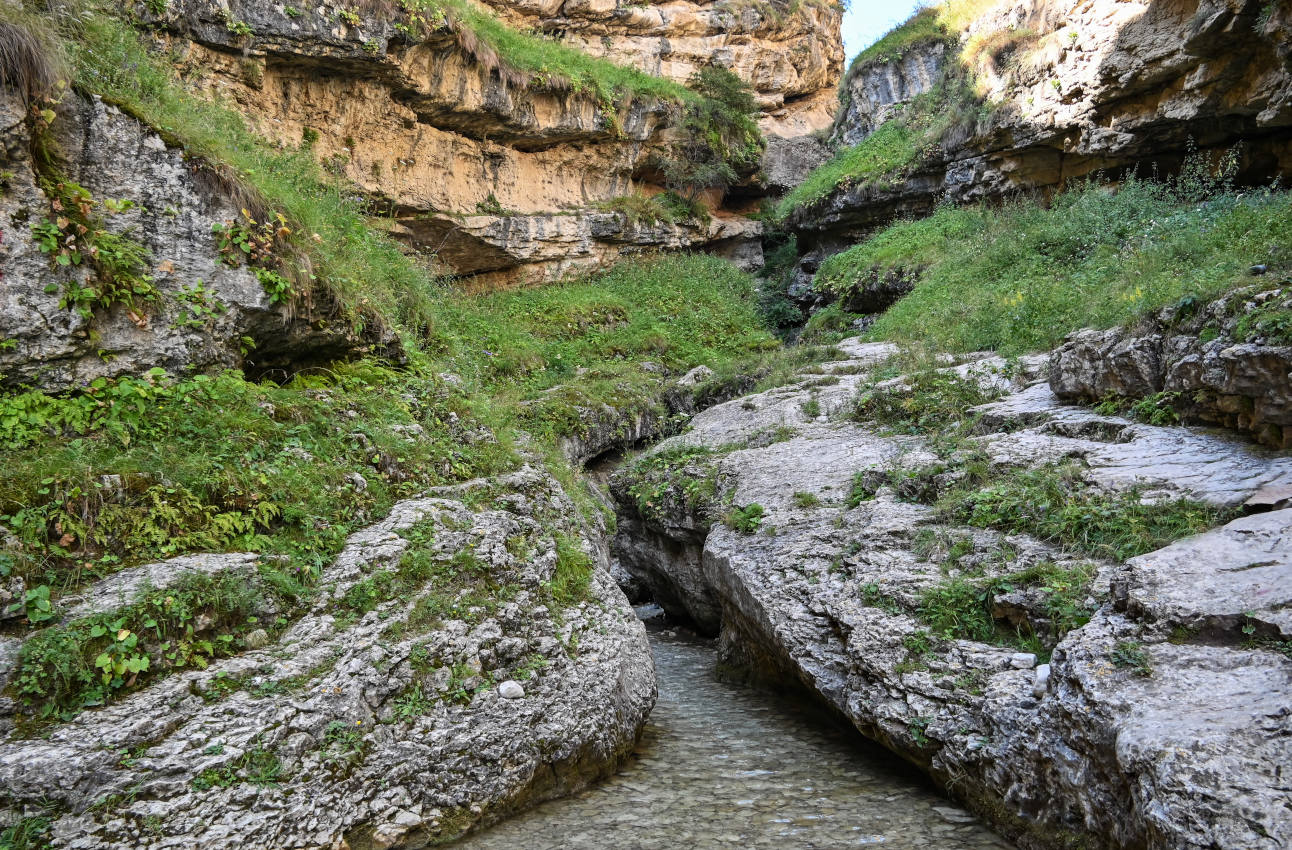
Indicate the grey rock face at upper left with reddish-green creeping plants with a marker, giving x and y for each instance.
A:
(203, 315)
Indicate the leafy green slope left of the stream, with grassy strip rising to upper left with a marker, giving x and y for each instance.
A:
(140, 470)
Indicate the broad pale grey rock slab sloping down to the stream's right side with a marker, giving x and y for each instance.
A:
(1162, 723)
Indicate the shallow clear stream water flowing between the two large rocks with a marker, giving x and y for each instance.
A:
(722, 765)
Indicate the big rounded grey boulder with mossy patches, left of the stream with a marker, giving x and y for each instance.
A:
(371, 733)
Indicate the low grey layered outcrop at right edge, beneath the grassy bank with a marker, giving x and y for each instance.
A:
(1227, 365)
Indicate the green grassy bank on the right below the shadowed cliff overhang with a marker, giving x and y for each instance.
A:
(1021, 277)
